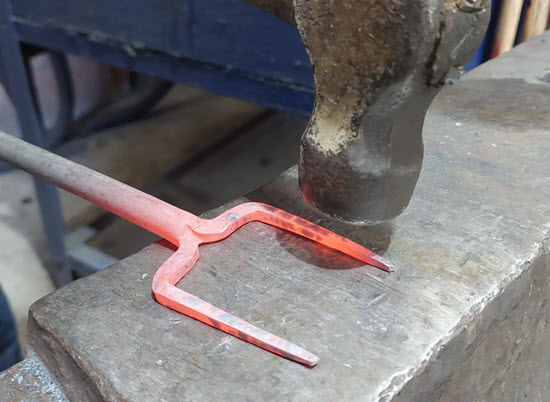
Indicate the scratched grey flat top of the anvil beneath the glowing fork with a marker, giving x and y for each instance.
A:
(479, 217)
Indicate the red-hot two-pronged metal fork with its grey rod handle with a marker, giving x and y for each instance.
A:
(184, 230)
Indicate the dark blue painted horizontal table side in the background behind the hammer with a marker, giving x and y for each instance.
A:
(224, 46)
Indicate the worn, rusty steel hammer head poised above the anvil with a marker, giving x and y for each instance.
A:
(377, 67)
